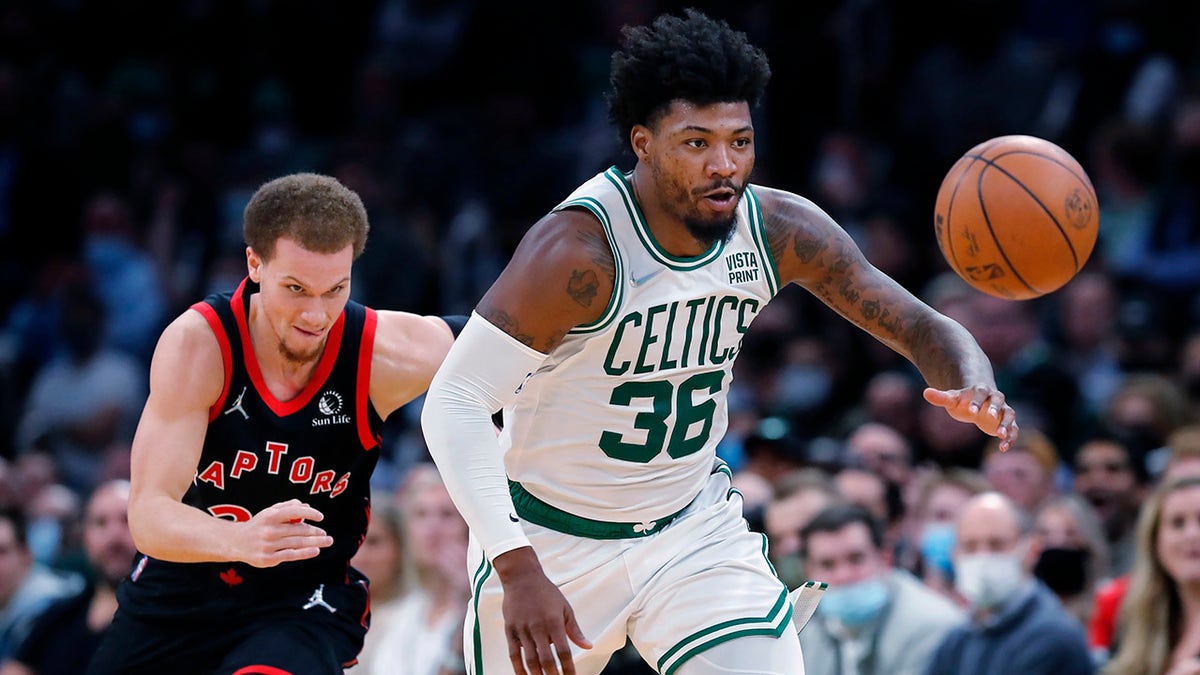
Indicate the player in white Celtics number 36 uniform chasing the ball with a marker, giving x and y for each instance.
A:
(602, 512)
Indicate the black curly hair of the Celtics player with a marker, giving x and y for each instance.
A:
(692, 58)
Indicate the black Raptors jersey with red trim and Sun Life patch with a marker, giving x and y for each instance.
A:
(320, 447)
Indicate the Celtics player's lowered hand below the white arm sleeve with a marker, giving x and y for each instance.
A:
(538, 620)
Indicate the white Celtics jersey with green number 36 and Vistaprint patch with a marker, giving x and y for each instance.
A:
(621, 423)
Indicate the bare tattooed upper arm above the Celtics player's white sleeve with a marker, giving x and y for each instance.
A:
(561, 277)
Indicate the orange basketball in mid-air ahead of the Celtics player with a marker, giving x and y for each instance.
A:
(1017, 217)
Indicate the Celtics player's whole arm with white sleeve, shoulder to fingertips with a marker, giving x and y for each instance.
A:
(560, 278)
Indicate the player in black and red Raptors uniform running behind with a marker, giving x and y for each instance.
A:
(253, 459)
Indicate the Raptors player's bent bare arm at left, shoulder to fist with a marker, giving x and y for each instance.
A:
(187, 378)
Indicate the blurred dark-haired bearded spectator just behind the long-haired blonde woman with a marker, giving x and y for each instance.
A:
(1112, 476)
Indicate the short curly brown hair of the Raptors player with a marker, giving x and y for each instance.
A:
(321, 214)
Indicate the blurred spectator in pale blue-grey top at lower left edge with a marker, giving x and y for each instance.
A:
(27, 587)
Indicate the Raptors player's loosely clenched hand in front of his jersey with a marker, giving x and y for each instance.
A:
(280, 534)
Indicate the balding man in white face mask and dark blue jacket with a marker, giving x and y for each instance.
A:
(1016, 625)
